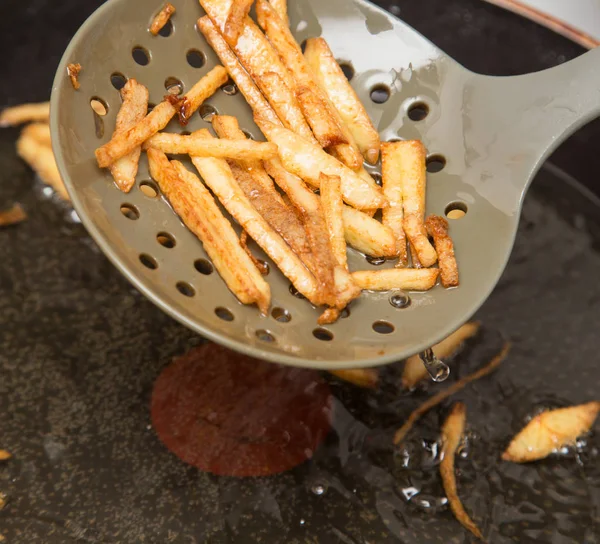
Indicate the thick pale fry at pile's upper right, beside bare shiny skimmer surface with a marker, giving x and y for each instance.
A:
(332, 79)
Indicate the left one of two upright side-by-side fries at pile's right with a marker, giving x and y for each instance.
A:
(393, 215)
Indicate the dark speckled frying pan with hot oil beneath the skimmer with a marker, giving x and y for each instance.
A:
(80, 352)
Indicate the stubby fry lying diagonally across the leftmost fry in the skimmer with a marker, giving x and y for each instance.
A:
(125, 142)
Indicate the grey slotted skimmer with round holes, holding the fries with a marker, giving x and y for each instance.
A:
(486, 137)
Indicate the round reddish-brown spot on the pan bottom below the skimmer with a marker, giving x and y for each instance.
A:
(232, 415)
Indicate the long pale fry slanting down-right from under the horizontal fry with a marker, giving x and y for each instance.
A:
(218, 176)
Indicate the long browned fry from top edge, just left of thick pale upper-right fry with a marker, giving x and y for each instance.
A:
(318, 110)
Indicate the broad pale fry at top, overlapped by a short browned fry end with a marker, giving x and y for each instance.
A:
(258, 58)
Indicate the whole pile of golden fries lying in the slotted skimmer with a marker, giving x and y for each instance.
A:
(304, 194)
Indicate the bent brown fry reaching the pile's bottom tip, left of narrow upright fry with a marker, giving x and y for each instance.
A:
(324, 261)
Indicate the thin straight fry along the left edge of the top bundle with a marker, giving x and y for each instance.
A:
(244, 82)
